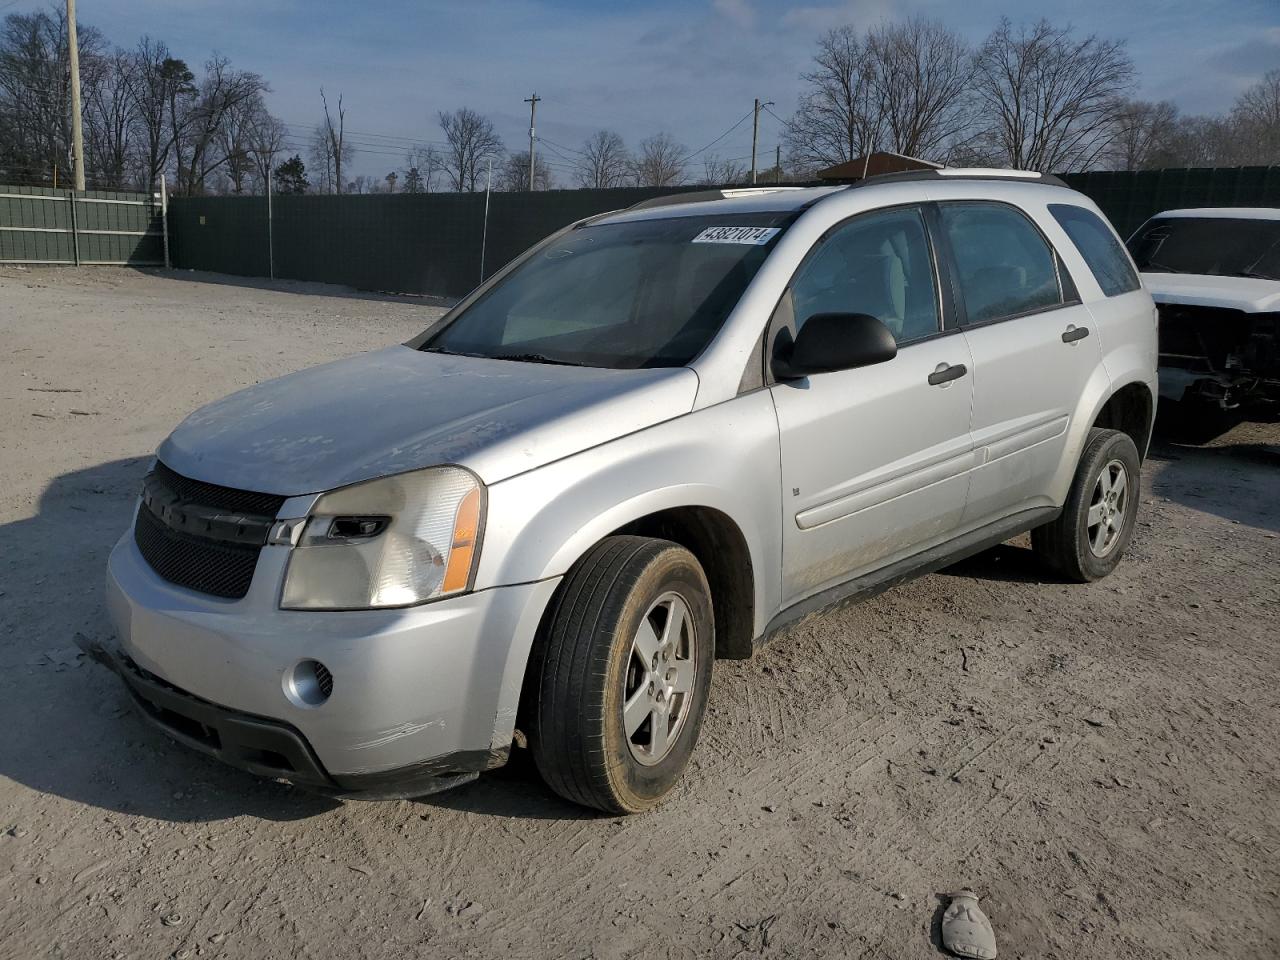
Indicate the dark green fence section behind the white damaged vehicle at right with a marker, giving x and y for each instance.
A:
(1131, 196)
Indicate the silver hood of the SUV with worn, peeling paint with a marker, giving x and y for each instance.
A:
(401, 409)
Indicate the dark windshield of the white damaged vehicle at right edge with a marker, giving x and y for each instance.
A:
(1214, 246)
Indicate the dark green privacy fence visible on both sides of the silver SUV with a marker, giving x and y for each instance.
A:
(435, 243)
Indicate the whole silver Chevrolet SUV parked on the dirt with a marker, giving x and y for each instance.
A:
(653, 441)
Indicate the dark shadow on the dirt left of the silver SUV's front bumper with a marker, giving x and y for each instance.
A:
(72, 730)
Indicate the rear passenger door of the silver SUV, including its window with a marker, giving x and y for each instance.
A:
(1034, 353)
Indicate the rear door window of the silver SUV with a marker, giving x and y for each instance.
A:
(1004, 266)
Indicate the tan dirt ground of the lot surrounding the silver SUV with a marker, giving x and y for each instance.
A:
(1099, 762)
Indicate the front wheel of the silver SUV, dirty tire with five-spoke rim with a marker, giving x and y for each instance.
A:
(587, 671)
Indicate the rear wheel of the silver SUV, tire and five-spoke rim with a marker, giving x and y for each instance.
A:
(1069, 545)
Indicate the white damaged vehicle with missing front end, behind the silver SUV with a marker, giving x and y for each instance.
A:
(1215, 277)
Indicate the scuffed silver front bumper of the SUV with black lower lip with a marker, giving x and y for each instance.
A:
(419, 696)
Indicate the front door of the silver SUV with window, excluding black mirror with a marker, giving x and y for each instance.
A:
(876, 460)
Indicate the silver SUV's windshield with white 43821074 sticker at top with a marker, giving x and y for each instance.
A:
(647, 294)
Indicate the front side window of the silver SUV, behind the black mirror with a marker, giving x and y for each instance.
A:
(876, 264)
